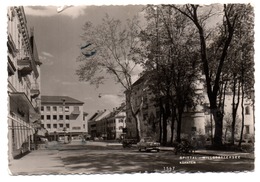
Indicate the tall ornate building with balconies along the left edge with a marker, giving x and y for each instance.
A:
(23, 84)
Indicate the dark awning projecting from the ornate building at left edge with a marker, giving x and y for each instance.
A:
(20, 101)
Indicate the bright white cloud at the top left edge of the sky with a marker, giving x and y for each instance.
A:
(48, 11)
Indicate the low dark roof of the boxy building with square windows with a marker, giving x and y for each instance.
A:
(59, 100)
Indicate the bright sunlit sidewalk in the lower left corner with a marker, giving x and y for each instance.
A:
(39, 162)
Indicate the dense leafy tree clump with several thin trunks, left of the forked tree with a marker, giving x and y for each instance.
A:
(171, 61)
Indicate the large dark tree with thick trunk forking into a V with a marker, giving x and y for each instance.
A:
(231, 15)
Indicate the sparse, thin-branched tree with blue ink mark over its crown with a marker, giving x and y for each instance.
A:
(107, 52)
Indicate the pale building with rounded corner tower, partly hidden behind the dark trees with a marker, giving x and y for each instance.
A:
(195, 121)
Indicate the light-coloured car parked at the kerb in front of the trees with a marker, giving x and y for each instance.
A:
(148, 144)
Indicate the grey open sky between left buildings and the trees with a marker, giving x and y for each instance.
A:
(58, 41)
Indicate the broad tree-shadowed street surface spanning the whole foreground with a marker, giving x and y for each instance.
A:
(100, 158)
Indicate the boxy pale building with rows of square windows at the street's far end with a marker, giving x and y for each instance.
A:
(63, 116)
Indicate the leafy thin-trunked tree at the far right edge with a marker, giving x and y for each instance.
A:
(240, 64)
